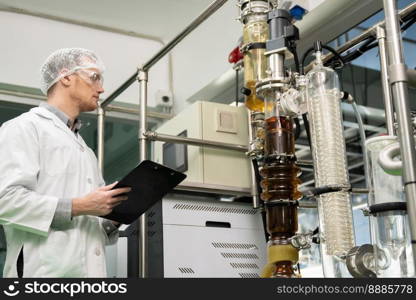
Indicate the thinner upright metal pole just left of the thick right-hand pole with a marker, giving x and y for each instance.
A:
(388, 102)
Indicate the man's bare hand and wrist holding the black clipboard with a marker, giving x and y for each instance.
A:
(100, 202)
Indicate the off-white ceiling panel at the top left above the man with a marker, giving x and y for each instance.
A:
(158, 19)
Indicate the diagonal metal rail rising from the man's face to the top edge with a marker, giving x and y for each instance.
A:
(212, 8)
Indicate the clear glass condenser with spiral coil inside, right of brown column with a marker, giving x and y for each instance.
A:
(328, 151)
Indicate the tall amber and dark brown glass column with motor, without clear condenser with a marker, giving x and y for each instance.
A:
(268, 39)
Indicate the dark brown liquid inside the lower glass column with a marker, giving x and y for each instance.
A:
(279, 186)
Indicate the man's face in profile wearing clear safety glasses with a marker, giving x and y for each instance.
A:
(87, 88)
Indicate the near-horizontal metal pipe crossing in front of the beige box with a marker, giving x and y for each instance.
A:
(154, 136)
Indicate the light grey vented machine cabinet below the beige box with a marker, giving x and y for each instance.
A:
(193, 236)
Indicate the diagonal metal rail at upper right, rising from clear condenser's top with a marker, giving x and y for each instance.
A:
(355, 41)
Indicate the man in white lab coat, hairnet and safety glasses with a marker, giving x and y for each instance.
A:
(51, 191)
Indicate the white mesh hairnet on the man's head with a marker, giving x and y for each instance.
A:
(64, 62)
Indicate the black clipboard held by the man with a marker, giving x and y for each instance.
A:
(149, 182)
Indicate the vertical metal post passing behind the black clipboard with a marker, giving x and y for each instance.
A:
(143, 247)
